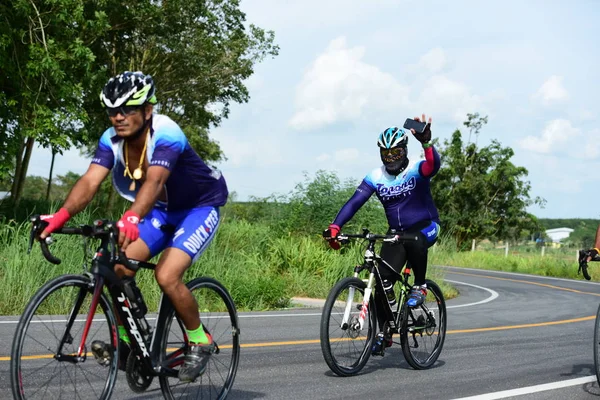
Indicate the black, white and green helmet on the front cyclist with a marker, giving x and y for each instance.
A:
(128, 89)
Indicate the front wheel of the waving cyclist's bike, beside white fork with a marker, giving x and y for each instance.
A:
(347, 355)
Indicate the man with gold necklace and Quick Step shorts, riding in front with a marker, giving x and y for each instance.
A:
(175, 195)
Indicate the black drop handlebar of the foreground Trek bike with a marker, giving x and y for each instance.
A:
(101, 229)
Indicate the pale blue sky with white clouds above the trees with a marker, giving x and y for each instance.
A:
(349, 69)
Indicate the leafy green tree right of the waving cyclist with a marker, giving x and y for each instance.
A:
(479, 192)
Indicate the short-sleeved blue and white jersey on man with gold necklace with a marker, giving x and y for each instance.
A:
(191, 183)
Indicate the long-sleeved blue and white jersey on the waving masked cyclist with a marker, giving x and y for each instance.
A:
(406, 198)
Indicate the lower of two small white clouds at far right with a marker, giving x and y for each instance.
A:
(555, 135)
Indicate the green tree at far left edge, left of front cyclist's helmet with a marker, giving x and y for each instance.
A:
(43, 59)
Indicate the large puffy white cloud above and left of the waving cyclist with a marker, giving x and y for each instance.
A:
(339, 86)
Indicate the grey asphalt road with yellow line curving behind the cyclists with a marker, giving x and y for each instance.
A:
(509, 336)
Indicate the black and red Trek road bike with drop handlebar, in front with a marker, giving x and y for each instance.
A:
(51, 355)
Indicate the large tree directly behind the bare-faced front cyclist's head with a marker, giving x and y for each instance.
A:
(199, 53)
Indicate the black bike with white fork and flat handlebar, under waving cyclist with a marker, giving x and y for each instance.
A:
(349, 319)
